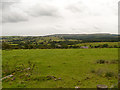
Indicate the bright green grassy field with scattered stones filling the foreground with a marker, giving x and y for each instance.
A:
(71, 67)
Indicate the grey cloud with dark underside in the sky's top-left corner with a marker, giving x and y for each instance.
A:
(12, 14)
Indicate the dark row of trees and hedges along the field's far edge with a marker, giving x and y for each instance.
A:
(52, 46)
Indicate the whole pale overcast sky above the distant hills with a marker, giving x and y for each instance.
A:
(44, 17)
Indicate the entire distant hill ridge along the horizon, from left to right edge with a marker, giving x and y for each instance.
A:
(98, 36)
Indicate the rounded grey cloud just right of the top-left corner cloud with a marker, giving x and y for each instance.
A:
(43, 10)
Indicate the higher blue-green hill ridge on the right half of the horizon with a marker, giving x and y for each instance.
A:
(87, 36)
